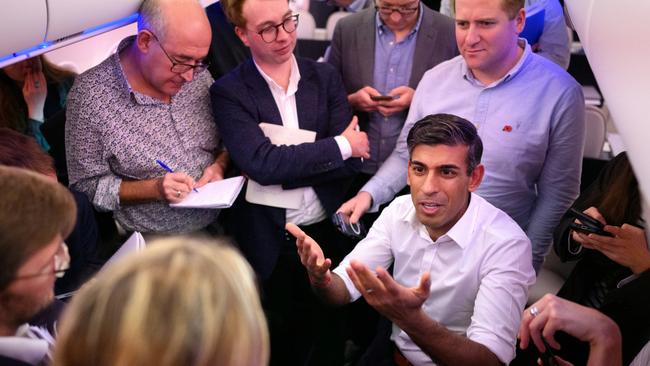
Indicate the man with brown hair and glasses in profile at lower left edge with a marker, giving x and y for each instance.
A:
(36, 213)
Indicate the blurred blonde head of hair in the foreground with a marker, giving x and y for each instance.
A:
(182, 301)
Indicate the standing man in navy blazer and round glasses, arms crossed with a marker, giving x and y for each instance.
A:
(293, 96)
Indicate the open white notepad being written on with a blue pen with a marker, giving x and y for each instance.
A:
(219, 194)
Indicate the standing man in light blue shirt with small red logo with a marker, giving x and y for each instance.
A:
(529, 114)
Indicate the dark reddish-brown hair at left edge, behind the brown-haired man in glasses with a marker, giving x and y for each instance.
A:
(22, 151)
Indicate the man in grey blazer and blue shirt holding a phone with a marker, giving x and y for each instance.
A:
(382, 53)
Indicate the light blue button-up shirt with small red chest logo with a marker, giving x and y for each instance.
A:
(531, 123)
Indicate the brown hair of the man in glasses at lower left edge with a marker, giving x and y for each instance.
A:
(33, 210)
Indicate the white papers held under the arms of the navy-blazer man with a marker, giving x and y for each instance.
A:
(274, 195)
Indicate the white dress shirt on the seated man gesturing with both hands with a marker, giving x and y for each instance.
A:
(480, 272)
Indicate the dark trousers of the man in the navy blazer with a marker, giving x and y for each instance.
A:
(304, 331)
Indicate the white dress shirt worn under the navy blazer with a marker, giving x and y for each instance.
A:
(311, 211)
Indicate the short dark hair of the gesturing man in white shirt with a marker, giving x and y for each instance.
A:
(450, 130)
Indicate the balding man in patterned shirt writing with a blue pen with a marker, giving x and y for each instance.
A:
(147, 102)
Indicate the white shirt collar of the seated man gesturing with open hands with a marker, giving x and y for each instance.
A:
(458, 233)
